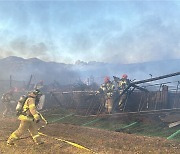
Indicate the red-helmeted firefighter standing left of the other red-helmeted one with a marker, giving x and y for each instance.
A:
(108, 89)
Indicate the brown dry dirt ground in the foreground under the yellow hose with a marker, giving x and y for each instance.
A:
(96, 140)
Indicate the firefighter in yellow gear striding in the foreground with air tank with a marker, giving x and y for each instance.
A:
(29, 117)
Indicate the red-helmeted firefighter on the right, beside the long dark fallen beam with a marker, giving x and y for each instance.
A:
(121, 85)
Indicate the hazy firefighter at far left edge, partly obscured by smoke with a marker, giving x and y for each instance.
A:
(6, 100)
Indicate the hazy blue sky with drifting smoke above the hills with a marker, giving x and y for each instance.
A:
(97, 30)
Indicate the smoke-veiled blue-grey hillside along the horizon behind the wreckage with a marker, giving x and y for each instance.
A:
(21, 69)
